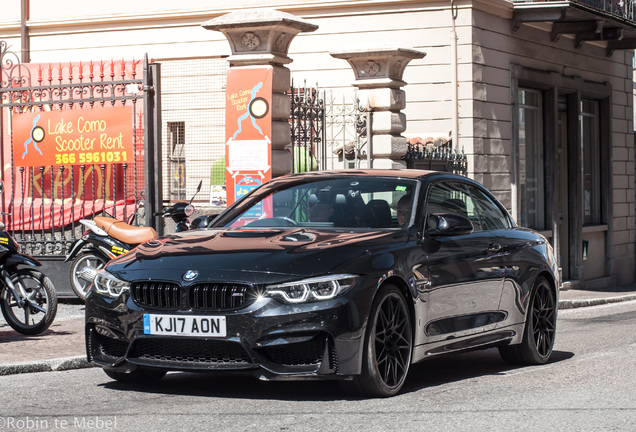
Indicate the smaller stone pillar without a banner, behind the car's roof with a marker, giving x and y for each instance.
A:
(378, 70)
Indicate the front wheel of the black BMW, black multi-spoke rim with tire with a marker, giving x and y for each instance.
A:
(388, 347)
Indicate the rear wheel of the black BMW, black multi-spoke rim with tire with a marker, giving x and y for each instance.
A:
(540, 329)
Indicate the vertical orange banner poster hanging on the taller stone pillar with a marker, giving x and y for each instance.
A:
(248, 129)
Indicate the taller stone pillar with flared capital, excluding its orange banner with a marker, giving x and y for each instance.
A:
(262, 37)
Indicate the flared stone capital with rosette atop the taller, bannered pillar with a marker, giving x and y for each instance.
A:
(260, 36)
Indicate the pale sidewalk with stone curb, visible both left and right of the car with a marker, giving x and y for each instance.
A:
(62, 347)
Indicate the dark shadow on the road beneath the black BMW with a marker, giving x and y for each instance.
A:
(431, 373)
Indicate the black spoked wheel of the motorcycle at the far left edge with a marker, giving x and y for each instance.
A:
(38, 313)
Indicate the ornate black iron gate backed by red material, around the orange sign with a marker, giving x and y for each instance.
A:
(42, 205)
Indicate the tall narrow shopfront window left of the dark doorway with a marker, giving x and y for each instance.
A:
(530, 152)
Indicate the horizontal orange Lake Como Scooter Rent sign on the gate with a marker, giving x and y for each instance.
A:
(73, 137)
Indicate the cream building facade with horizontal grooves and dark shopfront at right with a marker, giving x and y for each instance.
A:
(539, 95)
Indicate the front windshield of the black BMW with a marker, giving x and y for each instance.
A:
(358, 202)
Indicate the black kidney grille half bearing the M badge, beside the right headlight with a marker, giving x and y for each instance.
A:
(214, 296)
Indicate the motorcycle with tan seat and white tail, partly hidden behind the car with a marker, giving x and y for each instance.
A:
(106, 238)
